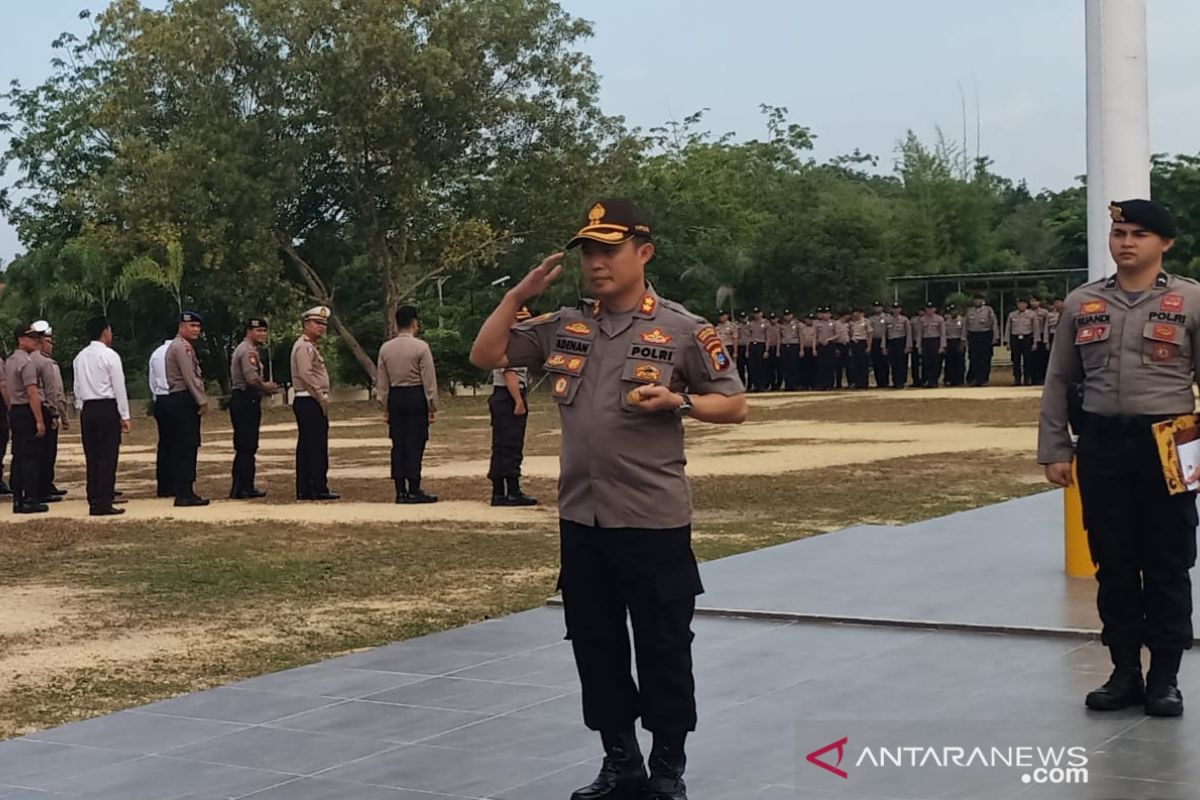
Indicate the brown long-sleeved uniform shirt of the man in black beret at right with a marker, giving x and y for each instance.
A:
(1133, 359)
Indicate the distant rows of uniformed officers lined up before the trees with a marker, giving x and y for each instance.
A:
(823, 352)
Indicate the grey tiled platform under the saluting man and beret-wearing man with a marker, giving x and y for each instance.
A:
(491, 711)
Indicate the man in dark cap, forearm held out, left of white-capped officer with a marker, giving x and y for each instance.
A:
(250, 387)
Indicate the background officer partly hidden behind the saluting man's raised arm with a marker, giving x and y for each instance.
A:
(511, 414)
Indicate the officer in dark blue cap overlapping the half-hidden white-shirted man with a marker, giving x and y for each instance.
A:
(187, 404)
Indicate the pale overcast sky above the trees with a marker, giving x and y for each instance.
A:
(857, 73)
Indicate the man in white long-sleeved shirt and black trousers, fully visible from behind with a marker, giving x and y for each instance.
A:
(104, 414)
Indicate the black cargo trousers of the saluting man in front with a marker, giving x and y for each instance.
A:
(651, 576)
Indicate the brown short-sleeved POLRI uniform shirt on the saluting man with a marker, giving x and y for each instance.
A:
(623, 468)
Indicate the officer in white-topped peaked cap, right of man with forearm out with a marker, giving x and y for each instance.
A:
(310, 405)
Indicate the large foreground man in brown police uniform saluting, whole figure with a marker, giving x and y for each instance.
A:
(641, 365)
